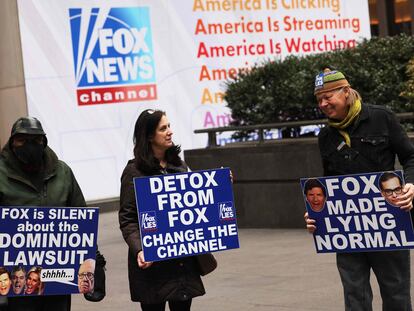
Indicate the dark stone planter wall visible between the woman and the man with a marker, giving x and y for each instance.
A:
(266, 178)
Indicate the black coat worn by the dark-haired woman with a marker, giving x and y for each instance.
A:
(177, 279)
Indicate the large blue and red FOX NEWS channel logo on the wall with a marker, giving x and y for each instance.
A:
(113, 55)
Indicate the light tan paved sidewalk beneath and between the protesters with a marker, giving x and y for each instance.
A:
(273, 270)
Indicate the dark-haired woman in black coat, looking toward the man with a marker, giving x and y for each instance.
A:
(154, 283)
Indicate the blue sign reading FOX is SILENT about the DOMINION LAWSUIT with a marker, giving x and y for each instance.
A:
(47, 250)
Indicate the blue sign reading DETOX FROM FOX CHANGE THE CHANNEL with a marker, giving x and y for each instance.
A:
(186, 214)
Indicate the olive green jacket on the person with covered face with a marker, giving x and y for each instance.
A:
(59, 187)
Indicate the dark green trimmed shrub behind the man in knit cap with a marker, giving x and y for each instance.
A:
(278, 90)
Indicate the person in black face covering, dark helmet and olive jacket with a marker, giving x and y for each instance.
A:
(32, 175)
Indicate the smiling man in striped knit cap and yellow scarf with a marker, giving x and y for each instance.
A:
(362, 138)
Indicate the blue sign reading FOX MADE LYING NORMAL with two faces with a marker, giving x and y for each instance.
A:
(356, 213)
